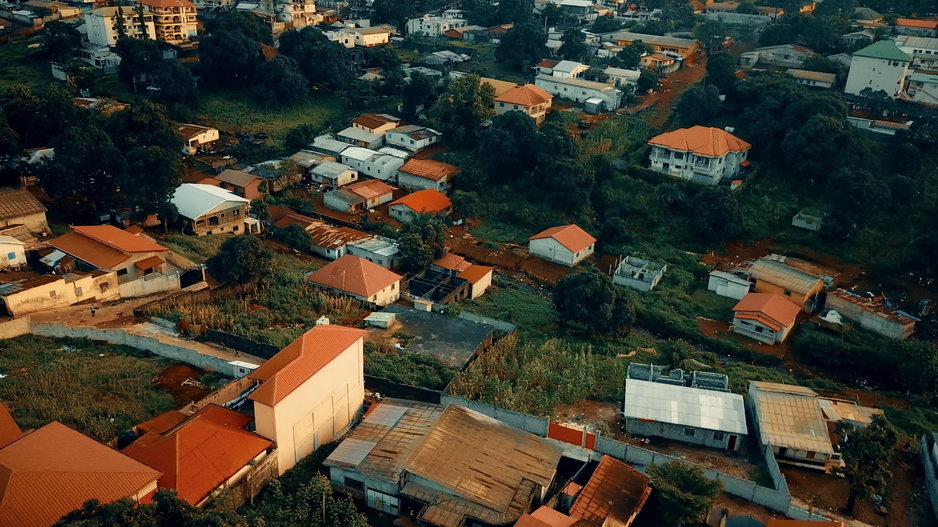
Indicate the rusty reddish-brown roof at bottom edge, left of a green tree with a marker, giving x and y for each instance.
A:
(615, 491)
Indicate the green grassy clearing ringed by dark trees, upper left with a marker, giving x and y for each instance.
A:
(234, 111)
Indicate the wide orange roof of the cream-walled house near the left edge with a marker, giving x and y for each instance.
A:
(103, 246)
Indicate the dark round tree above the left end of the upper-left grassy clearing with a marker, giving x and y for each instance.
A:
(229, 57)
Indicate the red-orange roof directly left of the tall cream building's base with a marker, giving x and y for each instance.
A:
(201, 452)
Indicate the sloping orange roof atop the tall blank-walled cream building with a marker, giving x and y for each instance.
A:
(300, 361)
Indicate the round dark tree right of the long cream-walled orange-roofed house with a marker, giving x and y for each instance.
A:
(240, 260)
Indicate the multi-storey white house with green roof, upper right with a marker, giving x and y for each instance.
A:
(879, 66)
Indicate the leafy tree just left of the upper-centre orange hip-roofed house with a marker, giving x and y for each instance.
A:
(461, 109)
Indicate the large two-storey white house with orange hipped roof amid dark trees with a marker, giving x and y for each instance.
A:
(702, 154)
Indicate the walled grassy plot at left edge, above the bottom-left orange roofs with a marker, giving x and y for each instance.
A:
(99, 390)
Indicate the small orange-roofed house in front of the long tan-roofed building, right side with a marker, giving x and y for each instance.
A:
(766, 317)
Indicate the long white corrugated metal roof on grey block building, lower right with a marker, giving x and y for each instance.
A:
(680, 405)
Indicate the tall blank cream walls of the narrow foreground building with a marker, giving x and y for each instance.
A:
(318, 411)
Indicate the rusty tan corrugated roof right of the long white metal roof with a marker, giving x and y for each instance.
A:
(790, 416)
